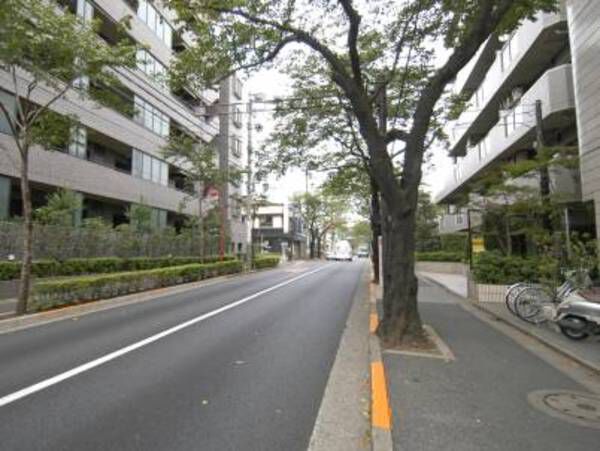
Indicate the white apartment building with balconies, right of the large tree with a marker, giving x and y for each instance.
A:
(504, 81)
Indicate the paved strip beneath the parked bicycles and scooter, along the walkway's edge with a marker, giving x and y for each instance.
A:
(585, 352)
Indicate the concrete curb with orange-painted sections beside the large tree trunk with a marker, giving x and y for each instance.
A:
(381, 437)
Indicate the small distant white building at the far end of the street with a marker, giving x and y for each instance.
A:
(278, 227)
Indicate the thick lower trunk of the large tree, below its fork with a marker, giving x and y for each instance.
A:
(401, 320)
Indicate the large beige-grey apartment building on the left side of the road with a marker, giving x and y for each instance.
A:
(114, 158)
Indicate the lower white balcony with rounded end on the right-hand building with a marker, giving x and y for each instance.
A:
(516, 128)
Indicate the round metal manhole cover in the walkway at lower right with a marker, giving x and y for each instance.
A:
(579, 408)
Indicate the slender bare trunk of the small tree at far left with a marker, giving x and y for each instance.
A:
(25, 282)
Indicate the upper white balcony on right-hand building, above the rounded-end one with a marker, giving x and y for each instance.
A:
(518, 63)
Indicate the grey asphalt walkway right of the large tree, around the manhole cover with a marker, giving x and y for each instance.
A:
(479, 400)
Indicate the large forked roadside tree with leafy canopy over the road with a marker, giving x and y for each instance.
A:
(367, 50)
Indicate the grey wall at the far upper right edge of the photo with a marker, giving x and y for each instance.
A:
(584, 26)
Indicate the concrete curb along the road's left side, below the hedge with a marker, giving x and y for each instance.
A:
(14, 324)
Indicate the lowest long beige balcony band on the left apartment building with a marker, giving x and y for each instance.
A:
(59, 169)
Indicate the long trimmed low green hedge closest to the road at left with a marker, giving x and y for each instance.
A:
(58, 293)
